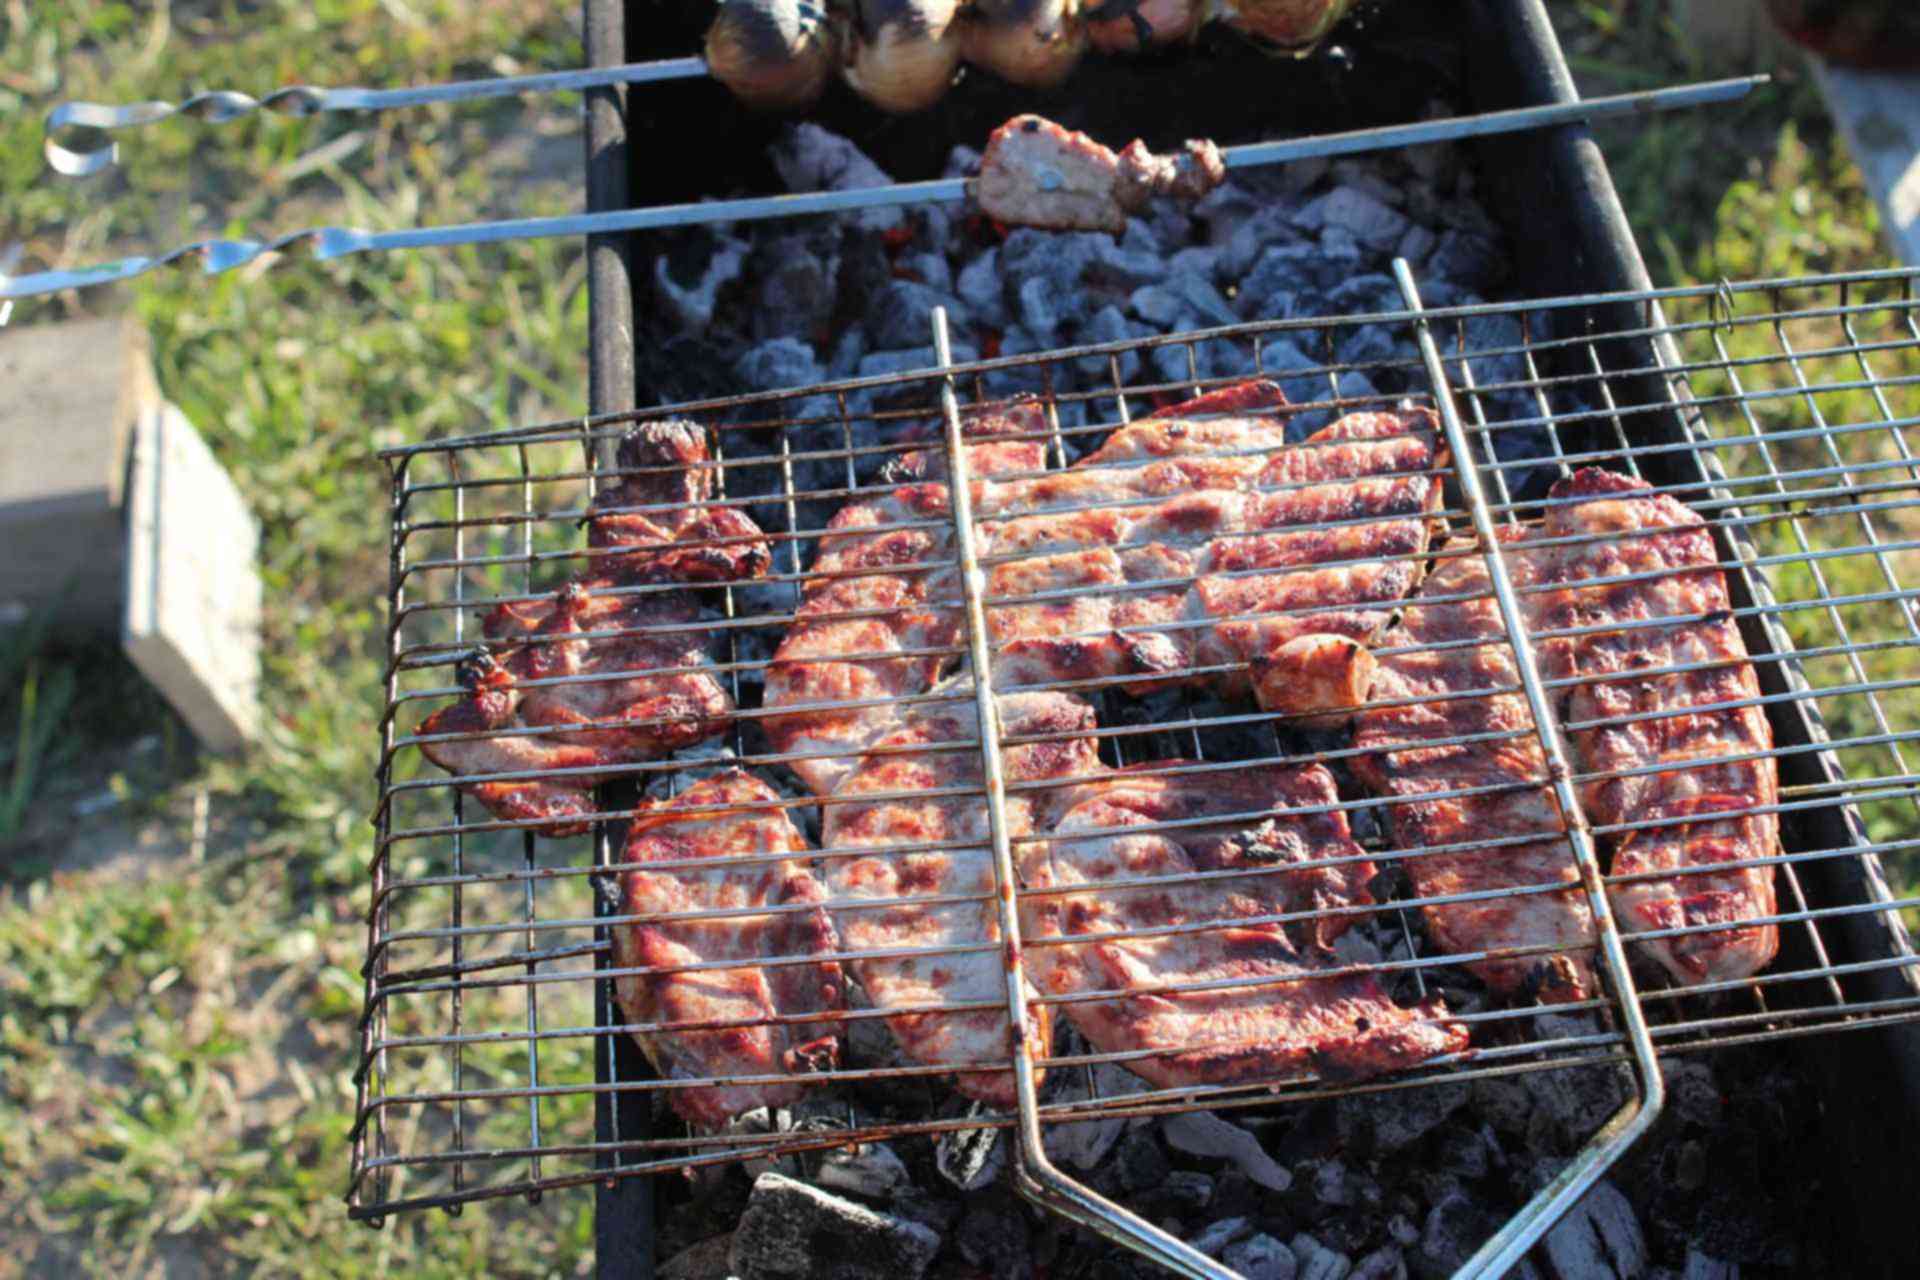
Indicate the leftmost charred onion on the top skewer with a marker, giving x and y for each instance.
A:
(775, 55)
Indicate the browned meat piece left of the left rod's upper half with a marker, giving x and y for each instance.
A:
(880, 617)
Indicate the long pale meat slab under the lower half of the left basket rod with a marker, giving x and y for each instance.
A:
(901, 795)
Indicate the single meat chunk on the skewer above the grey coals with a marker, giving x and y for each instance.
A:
(1038, 174)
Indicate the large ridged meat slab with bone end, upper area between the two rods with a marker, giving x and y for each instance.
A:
(1180, 544)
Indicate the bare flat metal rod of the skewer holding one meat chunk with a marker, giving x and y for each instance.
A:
(329, 243)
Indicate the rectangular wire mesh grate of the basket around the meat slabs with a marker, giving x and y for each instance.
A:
(1783, 414)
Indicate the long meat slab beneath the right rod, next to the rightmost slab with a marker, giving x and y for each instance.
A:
(1431, 682)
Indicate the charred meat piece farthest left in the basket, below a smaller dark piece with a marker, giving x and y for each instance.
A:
(629, 692)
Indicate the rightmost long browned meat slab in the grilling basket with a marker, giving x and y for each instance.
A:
(1650, 534)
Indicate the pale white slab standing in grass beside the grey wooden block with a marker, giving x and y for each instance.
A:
(193, 594)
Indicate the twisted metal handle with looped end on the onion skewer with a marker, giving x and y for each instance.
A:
(300, 101)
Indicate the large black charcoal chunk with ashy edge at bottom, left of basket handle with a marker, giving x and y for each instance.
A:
(794, 1231)
